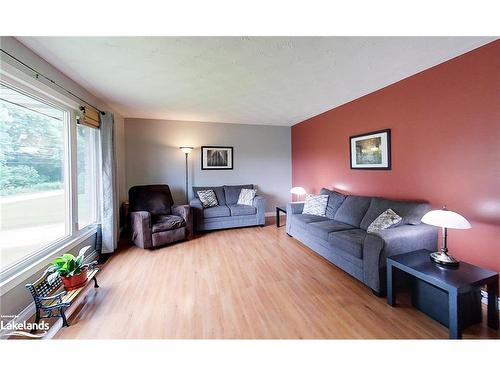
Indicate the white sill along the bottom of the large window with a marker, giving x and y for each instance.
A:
(20, 272)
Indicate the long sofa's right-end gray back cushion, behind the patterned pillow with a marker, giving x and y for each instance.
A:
(411, 212)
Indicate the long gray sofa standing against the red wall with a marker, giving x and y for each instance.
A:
(341, 236)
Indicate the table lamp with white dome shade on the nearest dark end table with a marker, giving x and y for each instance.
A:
(445, 219)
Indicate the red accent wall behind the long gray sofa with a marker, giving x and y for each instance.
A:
(445, 129)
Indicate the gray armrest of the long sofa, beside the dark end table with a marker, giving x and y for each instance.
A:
(398, 240)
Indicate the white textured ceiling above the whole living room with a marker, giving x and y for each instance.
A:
(246, 80)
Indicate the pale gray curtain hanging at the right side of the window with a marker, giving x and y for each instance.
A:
(109, 197)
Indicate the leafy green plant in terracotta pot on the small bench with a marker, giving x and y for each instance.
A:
(70, 269)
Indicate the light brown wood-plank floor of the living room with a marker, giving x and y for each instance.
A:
(240, 283)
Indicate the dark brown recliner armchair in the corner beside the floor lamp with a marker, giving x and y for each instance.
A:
(154, 219)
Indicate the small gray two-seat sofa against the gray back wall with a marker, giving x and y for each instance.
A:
(228, 214)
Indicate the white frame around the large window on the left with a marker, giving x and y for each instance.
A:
(39, 259)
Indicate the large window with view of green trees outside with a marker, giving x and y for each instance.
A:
(37, 174)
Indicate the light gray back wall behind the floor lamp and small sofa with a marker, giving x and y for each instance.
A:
(262, 156)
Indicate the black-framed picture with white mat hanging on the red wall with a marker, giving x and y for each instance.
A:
(371, 150)
